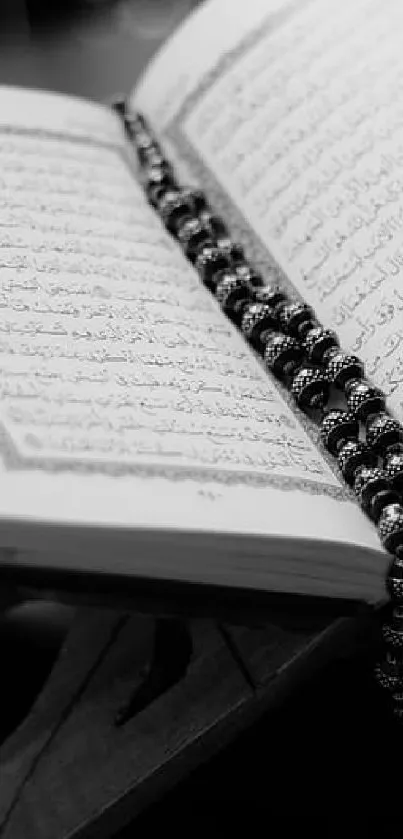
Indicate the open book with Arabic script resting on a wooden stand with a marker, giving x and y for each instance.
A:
(140, 435)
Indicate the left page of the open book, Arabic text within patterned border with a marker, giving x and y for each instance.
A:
(127, 400)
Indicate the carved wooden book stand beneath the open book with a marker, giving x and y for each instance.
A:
(134, 703)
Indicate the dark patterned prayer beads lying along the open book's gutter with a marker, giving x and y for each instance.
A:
(307, 358)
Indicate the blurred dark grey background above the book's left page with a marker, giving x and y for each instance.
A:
(92, 48)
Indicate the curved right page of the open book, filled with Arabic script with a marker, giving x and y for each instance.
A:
(291, 114)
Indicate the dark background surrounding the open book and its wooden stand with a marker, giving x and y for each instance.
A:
(328, 761)
